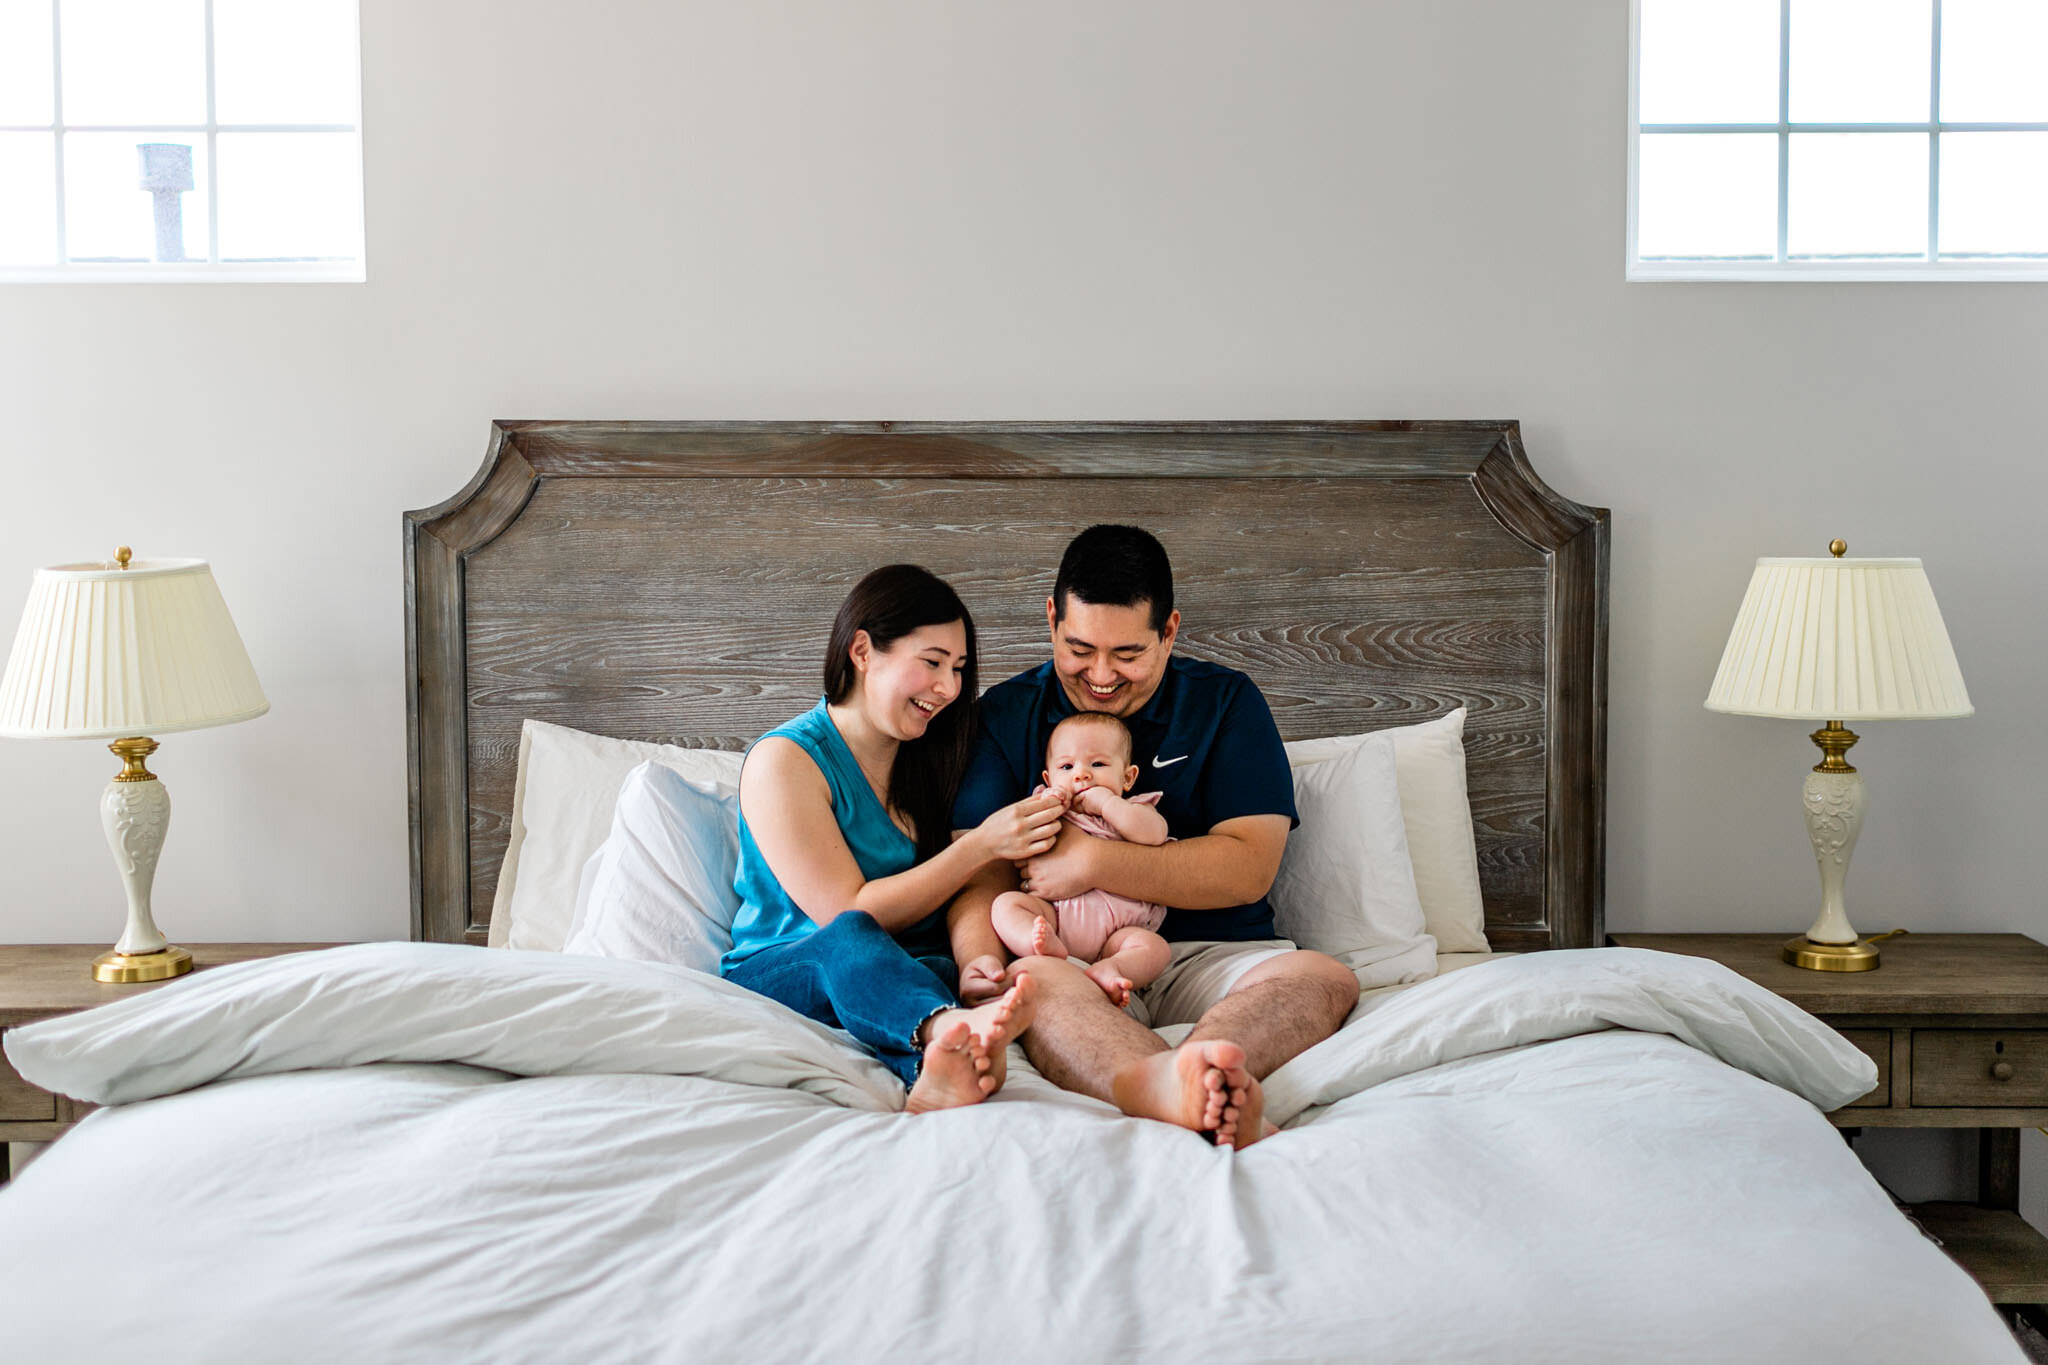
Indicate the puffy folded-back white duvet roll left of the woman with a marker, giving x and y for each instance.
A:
(531, 1014)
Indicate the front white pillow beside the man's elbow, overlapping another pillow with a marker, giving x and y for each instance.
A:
(1347, 885)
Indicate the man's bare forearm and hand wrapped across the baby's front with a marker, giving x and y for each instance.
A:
(1232, 865)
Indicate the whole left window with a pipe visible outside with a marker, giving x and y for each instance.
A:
(179, 140)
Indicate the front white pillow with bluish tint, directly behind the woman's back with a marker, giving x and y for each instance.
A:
(663, 881)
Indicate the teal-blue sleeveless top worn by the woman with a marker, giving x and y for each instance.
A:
(767, 916)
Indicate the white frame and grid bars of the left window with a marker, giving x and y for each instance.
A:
(210, 271)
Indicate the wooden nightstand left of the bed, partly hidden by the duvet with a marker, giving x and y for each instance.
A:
(40, 981)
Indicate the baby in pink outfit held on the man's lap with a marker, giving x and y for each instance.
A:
(1089, 762)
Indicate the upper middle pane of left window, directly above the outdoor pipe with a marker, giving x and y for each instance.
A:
(134, 60)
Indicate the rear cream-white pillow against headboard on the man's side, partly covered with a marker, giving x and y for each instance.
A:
(1439, 820)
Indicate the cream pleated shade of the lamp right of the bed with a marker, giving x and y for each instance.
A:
(1840, 640)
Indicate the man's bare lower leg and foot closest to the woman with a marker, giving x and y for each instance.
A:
(1080, 1043)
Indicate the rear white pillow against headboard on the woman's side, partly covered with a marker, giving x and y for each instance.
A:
(562, 809)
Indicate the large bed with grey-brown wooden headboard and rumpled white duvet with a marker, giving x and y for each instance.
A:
(443, 1151)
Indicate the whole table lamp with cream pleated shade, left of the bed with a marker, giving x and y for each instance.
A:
(120, 652)
